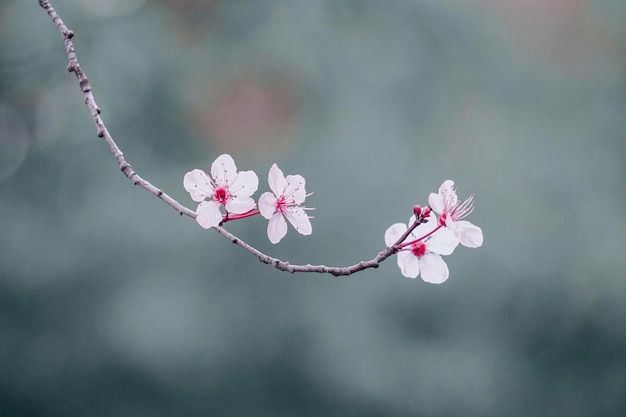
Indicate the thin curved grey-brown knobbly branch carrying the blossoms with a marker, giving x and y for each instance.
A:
(127, 170)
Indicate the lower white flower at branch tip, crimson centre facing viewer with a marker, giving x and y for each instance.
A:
(423, 256)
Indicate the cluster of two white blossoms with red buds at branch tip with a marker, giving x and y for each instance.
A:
(421, 245)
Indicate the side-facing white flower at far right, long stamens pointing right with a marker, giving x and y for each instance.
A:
(446, 205)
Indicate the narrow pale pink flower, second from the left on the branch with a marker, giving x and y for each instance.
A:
(288, 194)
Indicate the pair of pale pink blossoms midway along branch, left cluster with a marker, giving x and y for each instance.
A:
(231, 189)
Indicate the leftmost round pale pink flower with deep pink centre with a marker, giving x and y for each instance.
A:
(226, 187)
